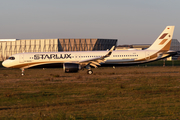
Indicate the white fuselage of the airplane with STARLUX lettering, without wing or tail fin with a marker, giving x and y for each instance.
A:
(27, 60)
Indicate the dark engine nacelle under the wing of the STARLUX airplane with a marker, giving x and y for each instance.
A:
(71, 67)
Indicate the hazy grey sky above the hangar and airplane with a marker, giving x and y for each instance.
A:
(129, 21)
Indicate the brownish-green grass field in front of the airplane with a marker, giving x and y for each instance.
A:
(121, 93)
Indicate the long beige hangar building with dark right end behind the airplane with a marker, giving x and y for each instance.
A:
(9, 47)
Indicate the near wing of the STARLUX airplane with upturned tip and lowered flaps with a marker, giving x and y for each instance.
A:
(96, 61)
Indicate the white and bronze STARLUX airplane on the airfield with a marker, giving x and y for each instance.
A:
(73, 61)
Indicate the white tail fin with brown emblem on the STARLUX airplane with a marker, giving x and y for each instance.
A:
(163, 42)
